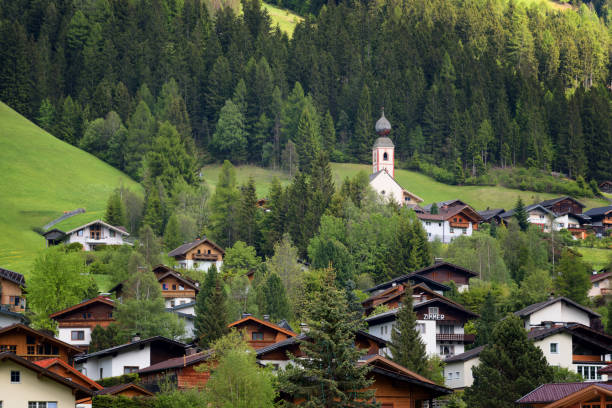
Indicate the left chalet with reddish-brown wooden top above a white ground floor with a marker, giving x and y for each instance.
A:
(77, 322)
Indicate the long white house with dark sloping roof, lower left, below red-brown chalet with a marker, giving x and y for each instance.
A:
(128, 358)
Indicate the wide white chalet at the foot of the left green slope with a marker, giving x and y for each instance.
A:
(91, 235)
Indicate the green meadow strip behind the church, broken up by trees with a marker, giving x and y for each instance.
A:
(421, 185)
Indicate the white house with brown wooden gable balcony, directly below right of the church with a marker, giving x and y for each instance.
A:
(448, 220)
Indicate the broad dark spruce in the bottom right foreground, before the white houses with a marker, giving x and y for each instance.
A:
(510, 367)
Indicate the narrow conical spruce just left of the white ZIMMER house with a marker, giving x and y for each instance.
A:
(406, 345)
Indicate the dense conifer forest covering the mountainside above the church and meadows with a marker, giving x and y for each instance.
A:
(465, 83)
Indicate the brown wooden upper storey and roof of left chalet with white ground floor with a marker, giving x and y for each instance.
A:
(90, 313)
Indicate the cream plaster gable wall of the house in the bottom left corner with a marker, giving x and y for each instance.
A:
(31, 388)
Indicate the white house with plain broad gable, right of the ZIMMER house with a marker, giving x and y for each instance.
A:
(560, 310)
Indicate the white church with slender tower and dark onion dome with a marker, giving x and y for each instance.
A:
(382, 179)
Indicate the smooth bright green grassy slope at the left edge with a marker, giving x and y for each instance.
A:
(41, 177)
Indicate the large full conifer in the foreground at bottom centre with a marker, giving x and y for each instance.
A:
(328, 376)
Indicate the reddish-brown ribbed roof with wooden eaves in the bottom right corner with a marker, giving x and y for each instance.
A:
(569, 395)
